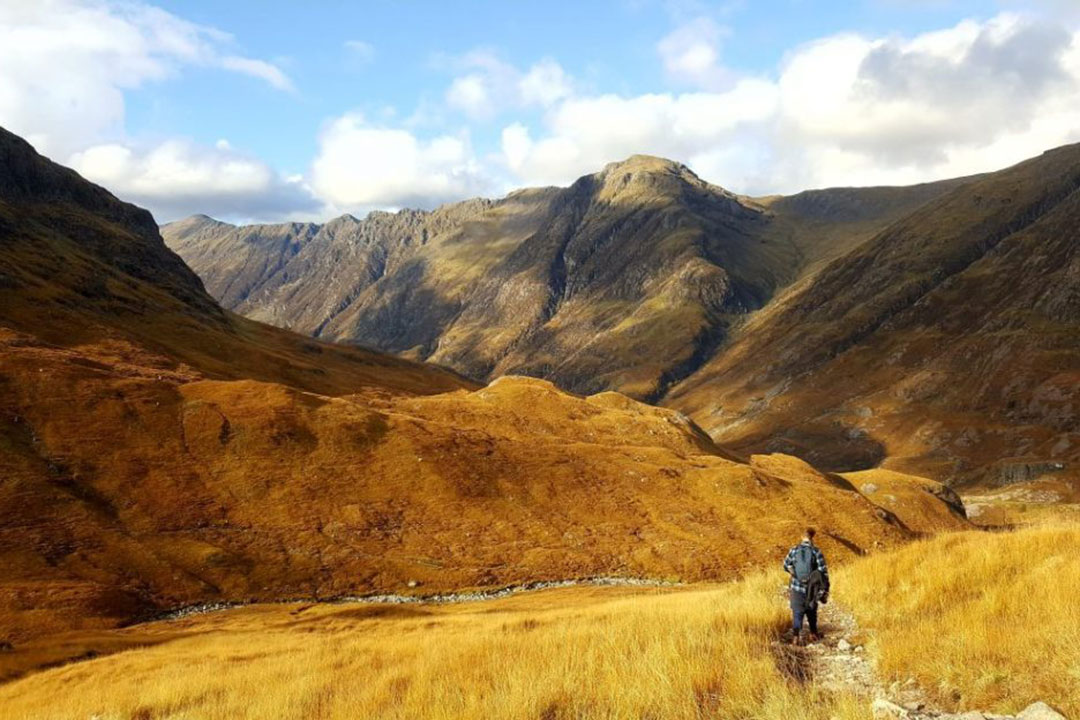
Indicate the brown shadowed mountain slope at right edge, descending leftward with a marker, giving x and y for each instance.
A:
(949, 344)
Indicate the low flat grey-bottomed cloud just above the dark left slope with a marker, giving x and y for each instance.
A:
(175, 179)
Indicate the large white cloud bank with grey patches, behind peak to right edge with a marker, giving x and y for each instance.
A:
(843, 111)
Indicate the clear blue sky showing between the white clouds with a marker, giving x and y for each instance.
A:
(612, 46)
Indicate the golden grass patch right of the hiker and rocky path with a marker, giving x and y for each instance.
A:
(984, 621)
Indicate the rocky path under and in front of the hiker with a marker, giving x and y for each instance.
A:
(841, 664)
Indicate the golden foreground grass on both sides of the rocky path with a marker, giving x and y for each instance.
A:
(974, 620)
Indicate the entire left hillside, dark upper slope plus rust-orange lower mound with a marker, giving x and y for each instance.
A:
(159, 452)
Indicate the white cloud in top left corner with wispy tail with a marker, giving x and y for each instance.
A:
(65, 65)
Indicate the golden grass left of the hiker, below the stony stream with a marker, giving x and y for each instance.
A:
(571, 654)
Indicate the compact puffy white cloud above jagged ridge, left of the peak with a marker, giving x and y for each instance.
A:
(360, 167)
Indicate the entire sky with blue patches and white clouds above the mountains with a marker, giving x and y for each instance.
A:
(267, 111)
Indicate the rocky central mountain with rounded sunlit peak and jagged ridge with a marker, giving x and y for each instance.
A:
(628, 280)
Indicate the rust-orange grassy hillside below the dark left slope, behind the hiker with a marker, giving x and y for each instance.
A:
(138, 490)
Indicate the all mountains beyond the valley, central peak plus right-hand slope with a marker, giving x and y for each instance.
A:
(933, 329)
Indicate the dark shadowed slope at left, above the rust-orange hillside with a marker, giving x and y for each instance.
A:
(78, 266)
